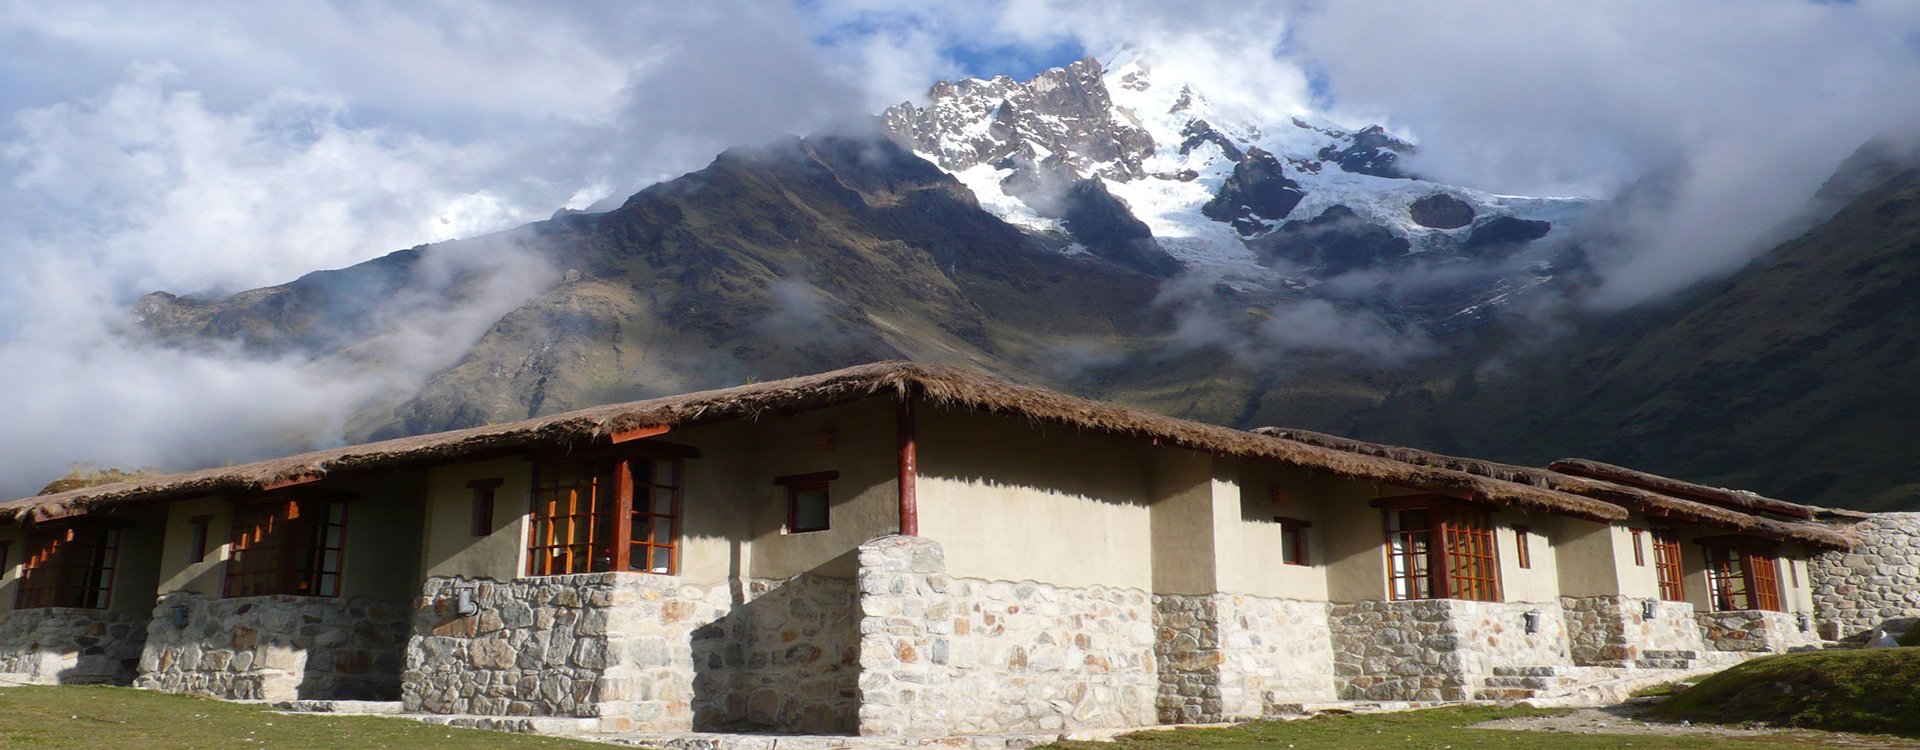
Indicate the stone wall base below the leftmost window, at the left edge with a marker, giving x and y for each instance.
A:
(68, 645)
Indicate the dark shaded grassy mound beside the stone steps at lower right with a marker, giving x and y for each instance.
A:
(1867, 691)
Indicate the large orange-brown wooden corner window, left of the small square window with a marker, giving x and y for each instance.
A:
(602, 515)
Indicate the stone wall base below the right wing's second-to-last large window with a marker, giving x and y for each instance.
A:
(1616, 630)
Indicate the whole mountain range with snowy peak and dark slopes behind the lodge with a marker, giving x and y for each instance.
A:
(1107, 233)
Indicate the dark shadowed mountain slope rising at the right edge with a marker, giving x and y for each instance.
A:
(1800, 377)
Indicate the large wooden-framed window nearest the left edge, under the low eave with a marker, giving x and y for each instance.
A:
(70, 567)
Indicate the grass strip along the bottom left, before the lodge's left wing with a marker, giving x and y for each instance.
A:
(110, 718)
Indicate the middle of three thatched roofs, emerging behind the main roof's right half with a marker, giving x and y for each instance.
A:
(1652, 504)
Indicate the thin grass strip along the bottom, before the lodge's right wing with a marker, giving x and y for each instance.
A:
(1433, 730)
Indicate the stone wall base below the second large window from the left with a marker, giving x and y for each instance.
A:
(276, 647)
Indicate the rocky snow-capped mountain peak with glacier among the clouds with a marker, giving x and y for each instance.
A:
(1214, 189)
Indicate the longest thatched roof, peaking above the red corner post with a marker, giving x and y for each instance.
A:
(936, 385)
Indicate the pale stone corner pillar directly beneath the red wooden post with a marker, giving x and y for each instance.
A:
(903, 690)
